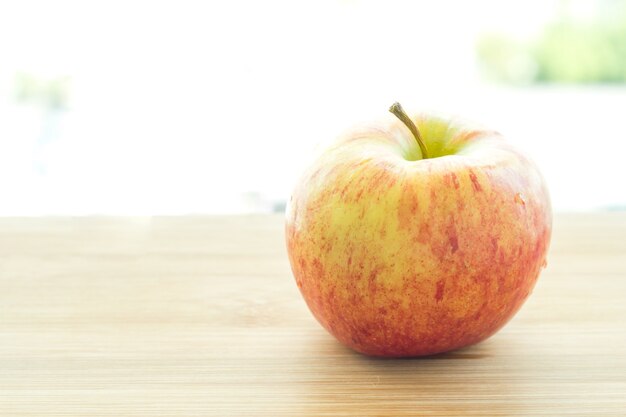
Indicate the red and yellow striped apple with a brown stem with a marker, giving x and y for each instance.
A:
(417, 235)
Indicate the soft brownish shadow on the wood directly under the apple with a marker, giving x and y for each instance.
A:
(477, 380)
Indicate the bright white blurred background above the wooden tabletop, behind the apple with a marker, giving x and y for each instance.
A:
(147, 107)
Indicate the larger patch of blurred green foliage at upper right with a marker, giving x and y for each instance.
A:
(567, 51)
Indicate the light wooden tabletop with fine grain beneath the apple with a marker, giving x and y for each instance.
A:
(198, 316)
